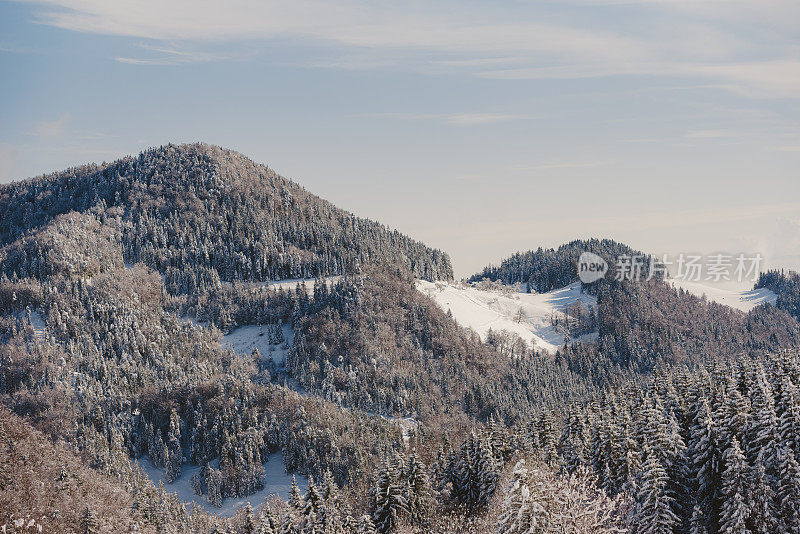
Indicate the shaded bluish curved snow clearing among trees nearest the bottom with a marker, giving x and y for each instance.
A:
(276, 482)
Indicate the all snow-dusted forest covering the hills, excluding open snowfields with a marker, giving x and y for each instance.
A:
(120, 289)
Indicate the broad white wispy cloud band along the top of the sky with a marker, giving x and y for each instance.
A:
(715, 42)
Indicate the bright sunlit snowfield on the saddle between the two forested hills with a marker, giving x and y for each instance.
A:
(527, 314)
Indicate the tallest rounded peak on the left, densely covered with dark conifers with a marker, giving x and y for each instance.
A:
(200, 214)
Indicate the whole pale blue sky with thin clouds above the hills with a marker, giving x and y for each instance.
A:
(480, 128)
